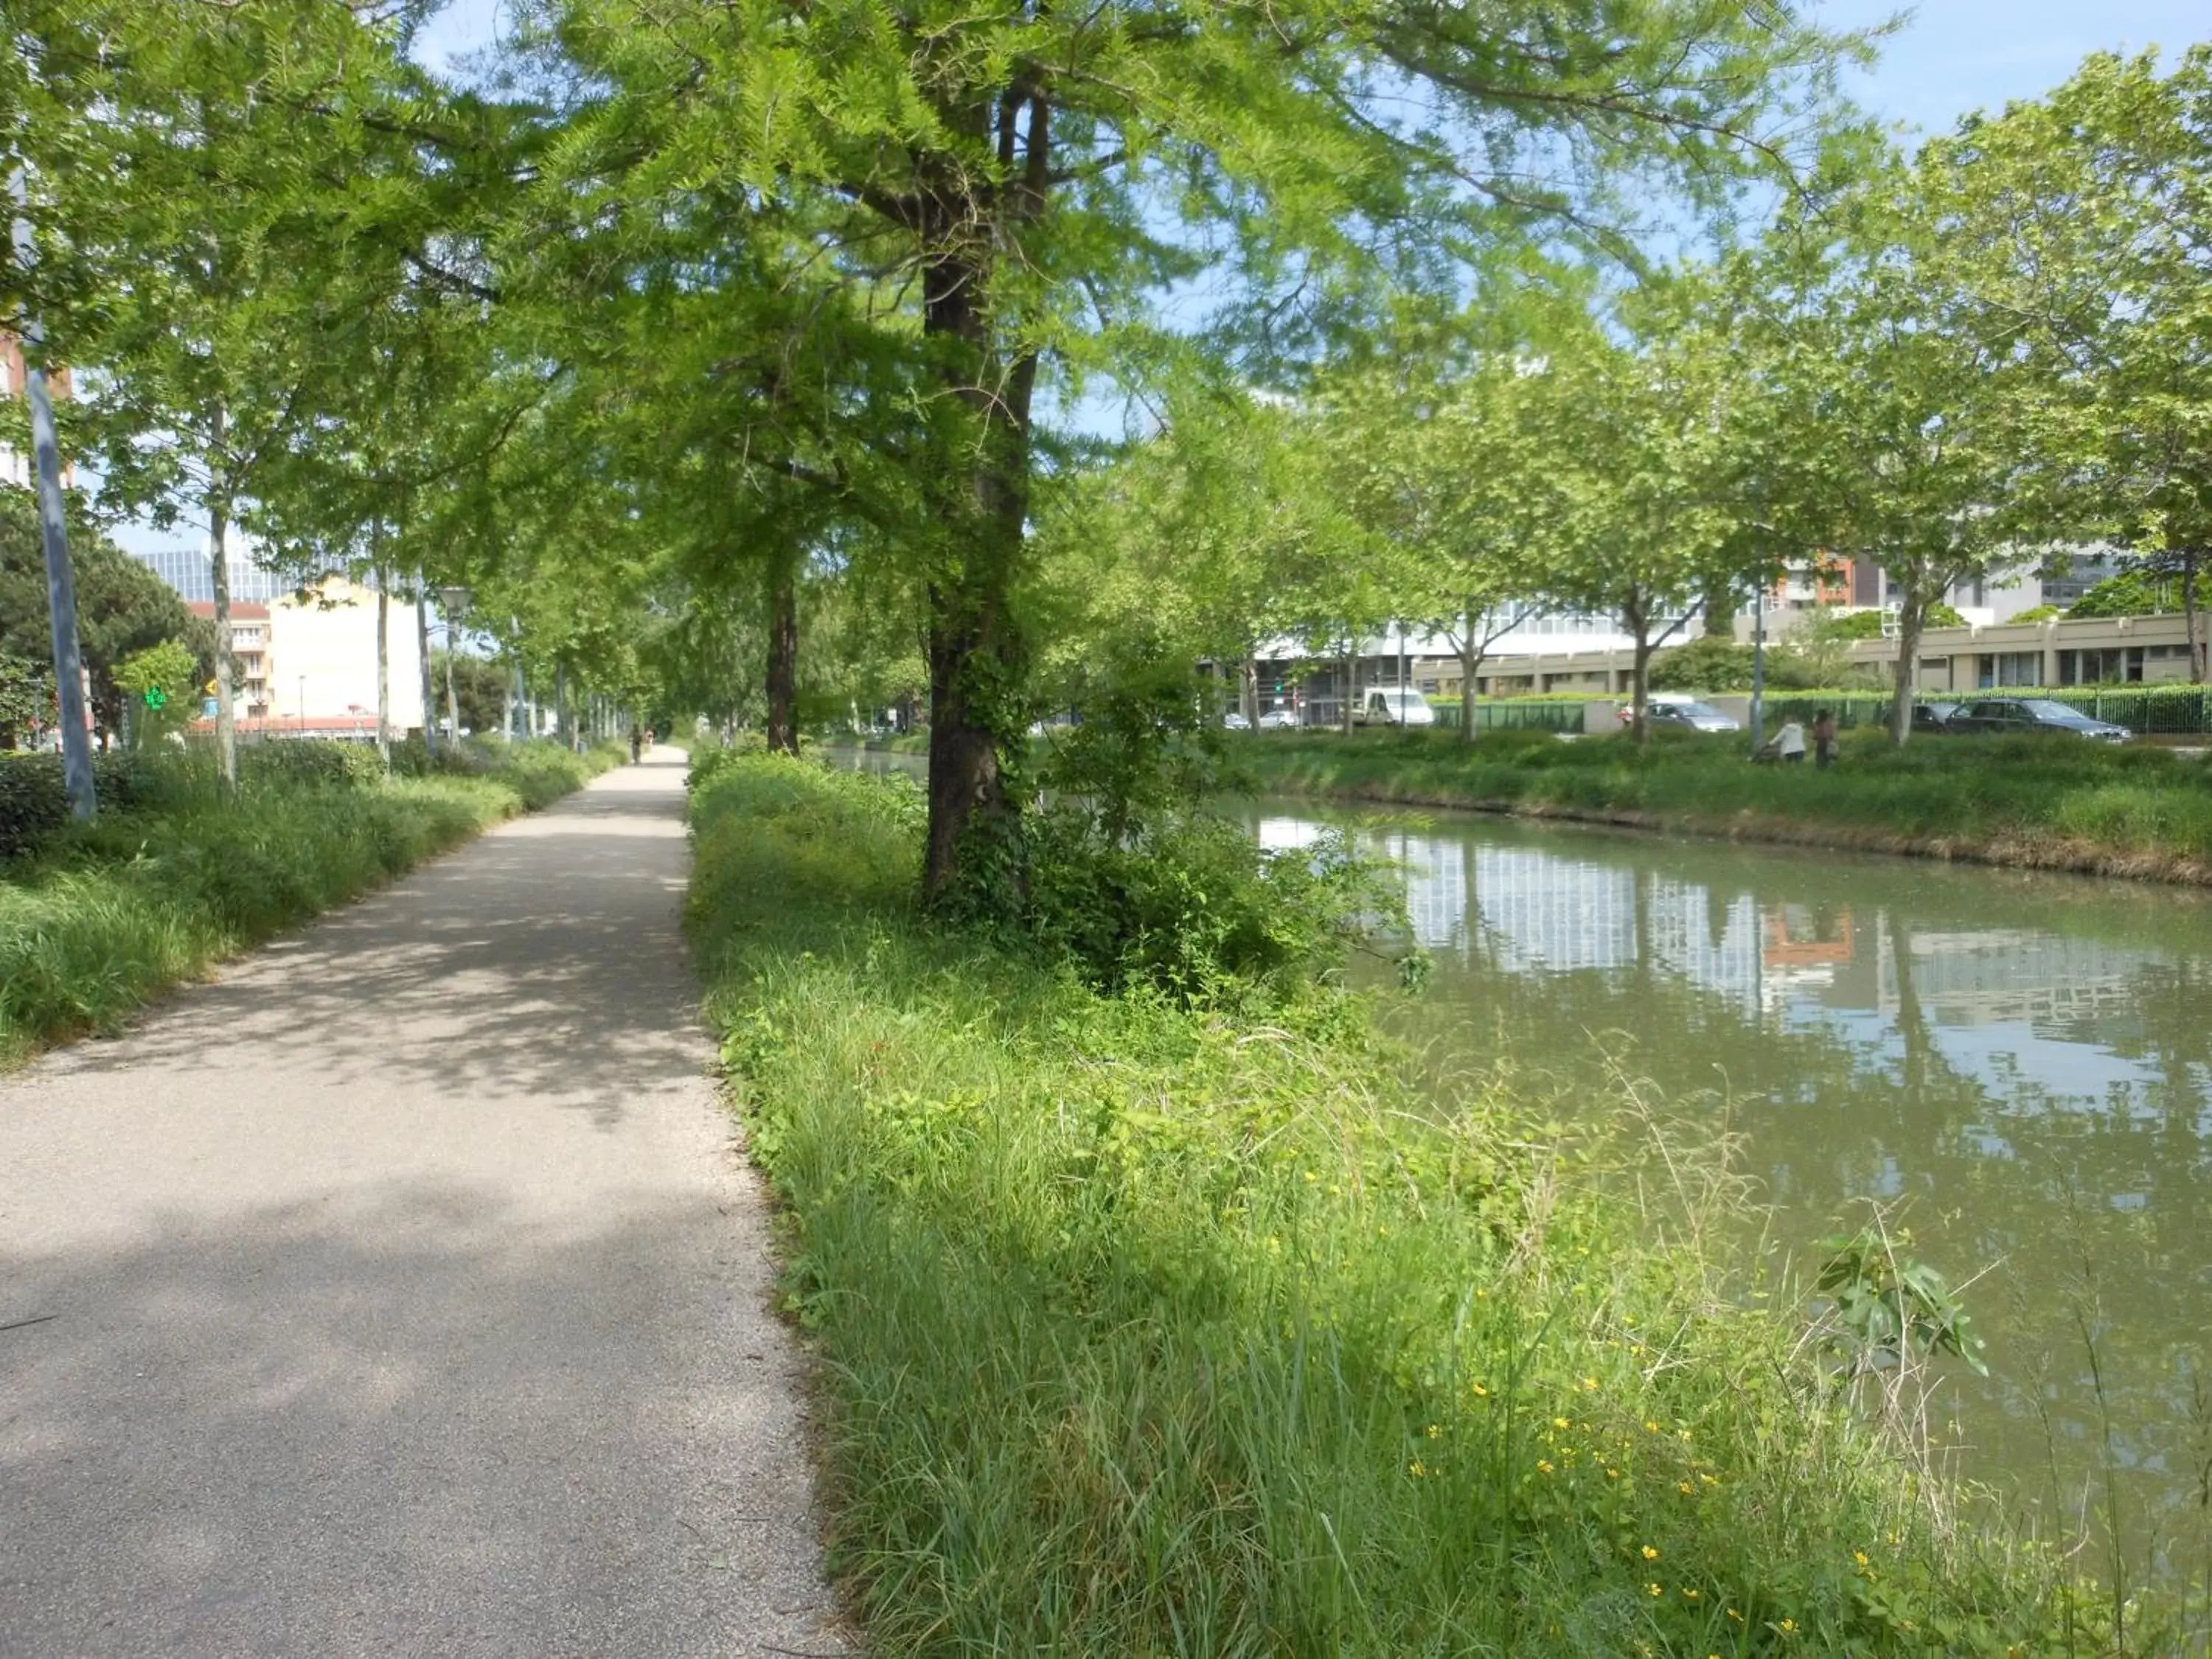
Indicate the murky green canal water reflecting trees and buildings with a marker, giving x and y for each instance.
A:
(2016, 1067)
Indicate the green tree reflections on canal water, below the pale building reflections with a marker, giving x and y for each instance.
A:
(1990, 1162)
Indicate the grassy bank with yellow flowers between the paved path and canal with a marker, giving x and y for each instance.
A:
(1160, 1328)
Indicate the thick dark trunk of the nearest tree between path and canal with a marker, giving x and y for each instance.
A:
(977, 654)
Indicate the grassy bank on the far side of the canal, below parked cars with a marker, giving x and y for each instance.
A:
(2041, 804)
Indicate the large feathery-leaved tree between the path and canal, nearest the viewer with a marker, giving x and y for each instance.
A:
(1019, 182)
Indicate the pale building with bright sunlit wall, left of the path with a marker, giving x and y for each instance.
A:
(306, 665)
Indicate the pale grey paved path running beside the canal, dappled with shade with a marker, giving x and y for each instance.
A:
(401, 1293)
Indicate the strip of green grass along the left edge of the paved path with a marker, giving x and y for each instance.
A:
(176, 875)
